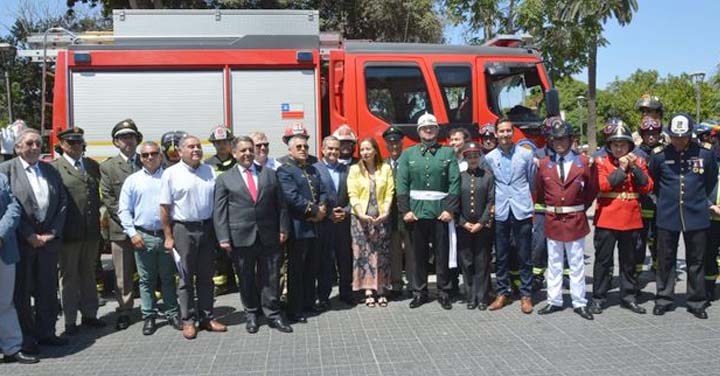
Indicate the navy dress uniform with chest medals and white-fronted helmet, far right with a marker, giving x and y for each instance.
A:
(684, 180)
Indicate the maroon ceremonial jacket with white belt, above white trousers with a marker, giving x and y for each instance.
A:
(578, 189)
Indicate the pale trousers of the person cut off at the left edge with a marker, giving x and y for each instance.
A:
(10, 334)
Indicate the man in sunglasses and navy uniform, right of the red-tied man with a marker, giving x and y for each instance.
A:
(307, 205)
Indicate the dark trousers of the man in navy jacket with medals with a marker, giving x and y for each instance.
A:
(695, 247)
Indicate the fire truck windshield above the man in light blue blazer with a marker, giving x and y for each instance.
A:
(517, 94)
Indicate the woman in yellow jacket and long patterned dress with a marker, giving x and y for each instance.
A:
(370, 187)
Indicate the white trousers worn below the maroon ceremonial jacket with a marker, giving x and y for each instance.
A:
(576, 261)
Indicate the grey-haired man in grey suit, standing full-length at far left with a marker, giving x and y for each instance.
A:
(39, 190)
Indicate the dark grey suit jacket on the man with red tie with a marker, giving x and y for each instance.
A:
(239, 220)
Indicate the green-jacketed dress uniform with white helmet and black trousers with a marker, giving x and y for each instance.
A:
(428, 183)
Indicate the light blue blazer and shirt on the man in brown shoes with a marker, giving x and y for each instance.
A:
(514, 182)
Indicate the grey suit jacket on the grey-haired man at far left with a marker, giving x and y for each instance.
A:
(21, 188)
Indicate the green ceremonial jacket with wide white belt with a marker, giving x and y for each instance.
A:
(428, 181)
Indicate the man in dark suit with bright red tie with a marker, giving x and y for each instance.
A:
(251, 223)
